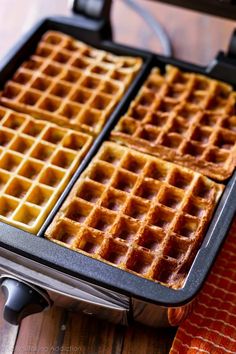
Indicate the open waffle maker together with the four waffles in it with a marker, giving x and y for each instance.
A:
(63, 177)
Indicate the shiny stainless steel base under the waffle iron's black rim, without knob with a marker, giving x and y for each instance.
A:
(78, 295)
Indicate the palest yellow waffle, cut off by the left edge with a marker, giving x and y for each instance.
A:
(36, 161)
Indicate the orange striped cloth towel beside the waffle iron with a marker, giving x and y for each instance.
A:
(211, 327)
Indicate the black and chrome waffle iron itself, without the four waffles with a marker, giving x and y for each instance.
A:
(36, 274)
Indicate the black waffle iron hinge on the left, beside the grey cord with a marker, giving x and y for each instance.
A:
(96, 12)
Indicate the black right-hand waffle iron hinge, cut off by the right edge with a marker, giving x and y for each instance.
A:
(223, 67)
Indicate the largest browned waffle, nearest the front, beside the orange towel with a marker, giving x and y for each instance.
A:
(138, 213)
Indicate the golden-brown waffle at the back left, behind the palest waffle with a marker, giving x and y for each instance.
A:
(70, 83)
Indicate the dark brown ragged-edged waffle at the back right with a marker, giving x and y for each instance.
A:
(185, 118)
